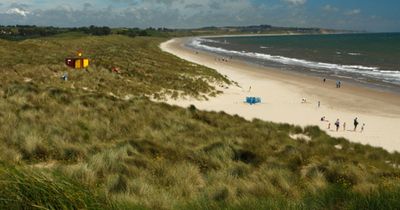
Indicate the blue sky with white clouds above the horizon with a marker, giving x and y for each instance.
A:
(368, 15)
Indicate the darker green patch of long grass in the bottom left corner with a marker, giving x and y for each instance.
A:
(30, 189)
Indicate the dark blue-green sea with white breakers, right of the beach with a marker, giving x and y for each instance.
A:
(367, 59)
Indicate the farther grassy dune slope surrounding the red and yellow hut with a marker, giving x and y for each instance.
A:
(144, 69)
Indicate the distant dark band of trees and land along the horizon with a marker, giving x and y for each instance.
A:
(19, 32)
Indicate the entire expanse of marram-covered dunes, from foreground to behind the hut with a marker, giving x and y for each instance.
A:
(131, 152)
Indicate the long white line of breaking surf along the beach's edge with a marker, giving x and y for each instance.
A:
(374, 72)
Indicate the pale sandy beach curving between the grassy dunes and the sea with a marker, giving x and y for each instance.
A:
(282, 94)
